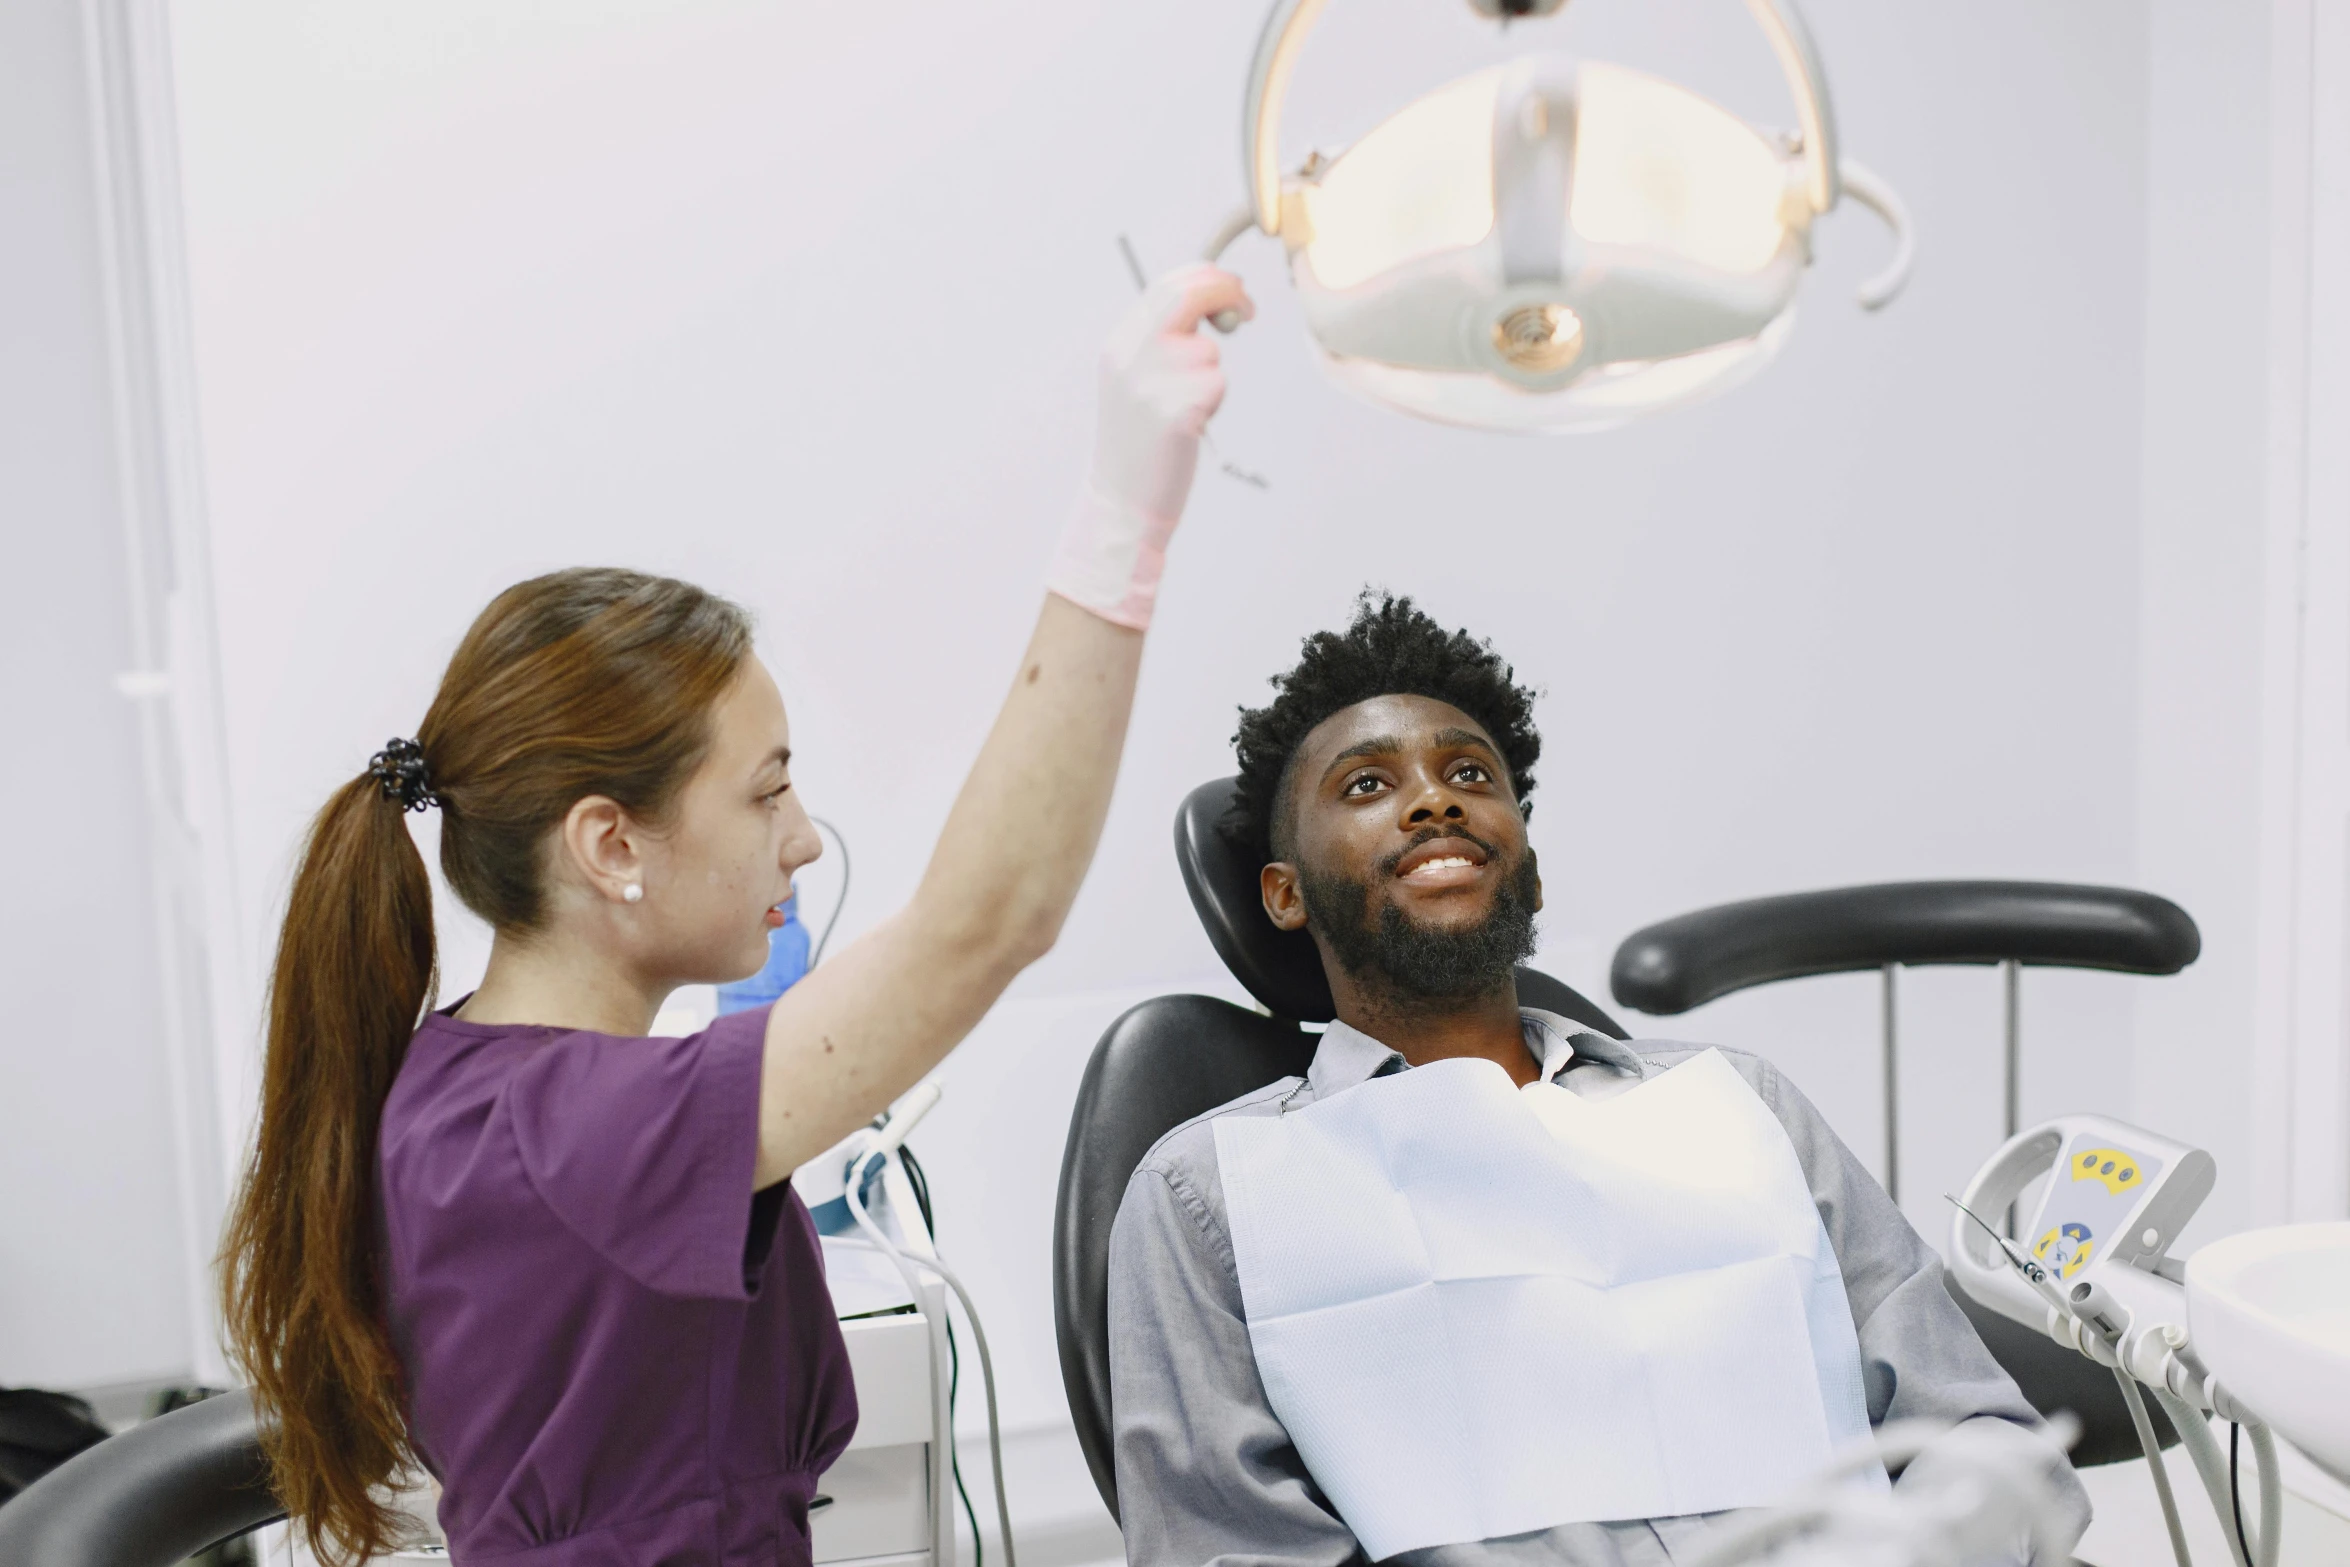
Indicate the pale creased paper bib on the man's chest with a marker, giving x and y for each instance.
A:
(1486, 1310)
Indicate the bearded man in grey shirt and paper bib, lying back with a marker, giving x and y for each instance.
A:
(1489, 1286)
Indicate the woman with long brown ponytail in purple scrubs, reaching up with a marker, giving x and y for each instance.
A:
(558, 1263)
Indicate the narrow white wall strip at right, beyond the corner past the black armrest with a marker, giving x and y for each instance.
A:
(2203, 574)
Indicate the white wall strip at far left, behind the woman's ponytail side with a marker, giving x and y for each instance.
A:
(93, 1282)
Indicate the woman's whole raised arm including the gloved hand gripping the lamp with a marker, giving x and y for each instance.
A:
(873, 1021)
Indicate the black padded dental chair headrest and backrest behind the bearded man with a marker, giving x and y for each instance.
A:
(1176, 1058)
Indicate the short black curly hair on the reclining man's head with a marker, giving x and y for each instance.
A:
(1392, 650)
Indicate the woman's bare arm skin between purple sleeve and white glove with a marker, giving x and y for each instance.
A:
(871, 1023)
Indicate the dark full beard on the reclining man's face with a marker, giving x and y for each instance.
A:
(1414, 964)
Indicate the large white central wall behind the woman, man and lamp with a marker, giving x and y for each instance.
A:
(803, 307)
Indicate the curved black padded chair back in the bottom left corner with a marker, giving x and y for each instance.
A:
(149, 1498)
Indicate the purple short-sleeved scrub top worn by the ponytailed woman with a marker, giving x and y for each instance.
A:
(617, 1354)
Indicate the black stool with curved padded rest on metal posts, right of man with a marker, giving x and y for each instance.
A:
(1700, 957)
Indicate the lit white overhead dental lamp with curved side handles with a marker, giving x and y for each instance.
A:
(1555, 243)
